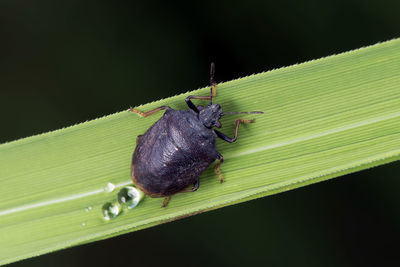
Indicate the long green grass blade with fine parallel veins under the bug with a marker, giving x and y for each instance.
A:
(323, 119)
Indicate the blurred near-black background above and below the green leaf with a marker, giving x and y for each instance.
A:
(64, 62)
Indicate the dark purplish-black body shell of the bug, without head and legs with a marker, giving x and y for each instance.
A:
(172, 153)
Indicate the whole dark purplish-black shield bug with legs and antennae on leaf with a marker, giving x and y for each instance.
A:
(174, 151)
